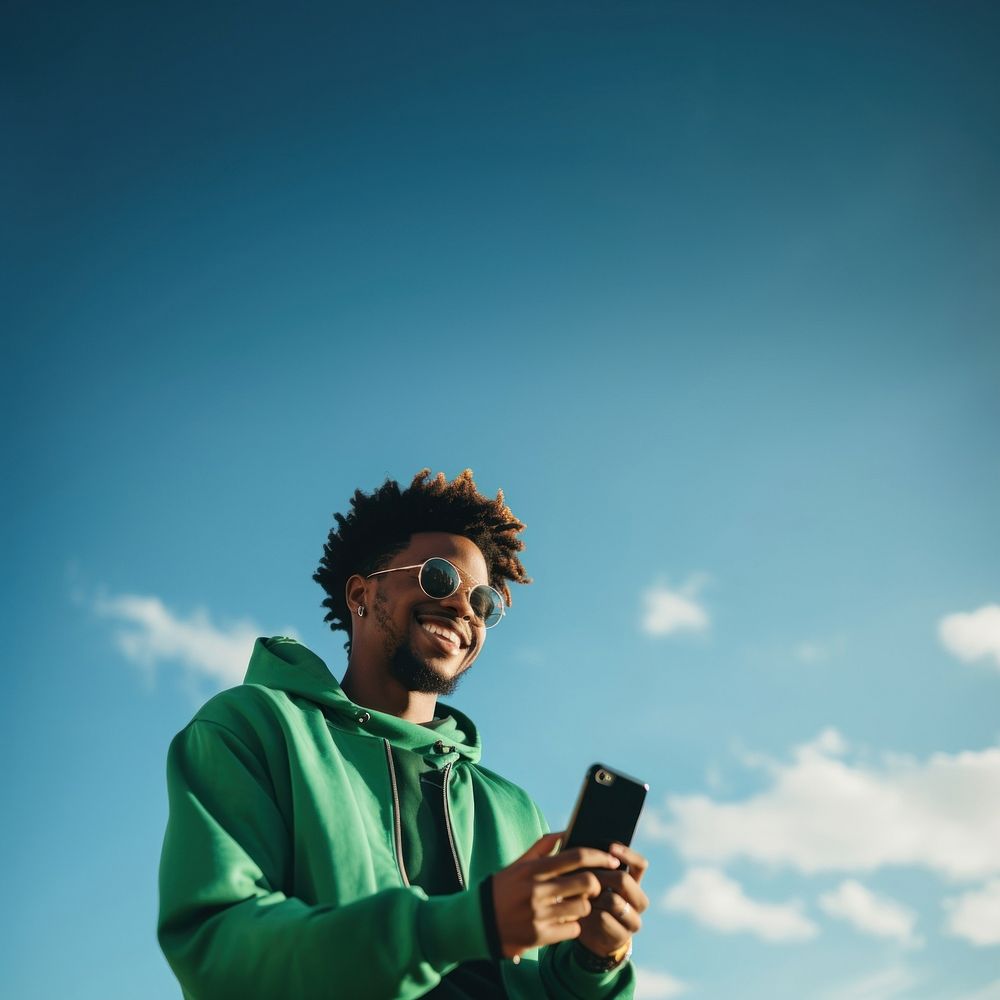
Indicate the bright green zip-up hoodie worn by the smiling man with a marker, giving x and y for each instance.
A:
(280, 875)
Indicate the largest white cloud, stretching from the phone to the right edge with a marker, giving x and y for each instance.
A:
(822, 813)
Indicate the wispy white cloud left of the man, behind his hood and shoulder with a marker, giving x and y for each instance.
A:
(149, 633)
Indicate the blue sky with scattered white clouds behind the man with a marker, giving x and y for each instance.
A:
(709, 289)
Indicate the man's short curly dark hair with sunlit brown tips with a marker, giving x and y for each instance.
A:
(380, 524)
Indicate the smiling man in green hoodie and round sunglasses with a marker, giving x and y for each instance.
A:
(342, 840)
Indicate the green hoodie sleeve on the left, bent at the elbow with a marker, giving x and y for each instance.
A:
(228, 931)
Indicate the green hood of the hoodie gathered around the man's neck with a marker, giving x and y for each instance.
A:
(284, 664)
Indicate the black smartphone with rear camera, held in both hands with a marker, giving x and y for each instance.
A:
(606, 810)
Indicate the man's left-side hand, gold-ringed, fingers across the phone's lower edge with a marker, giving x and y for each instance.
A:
(541, 899)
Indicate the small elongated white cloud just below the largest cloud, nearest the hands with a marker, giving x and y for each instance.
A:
(719, 902)
